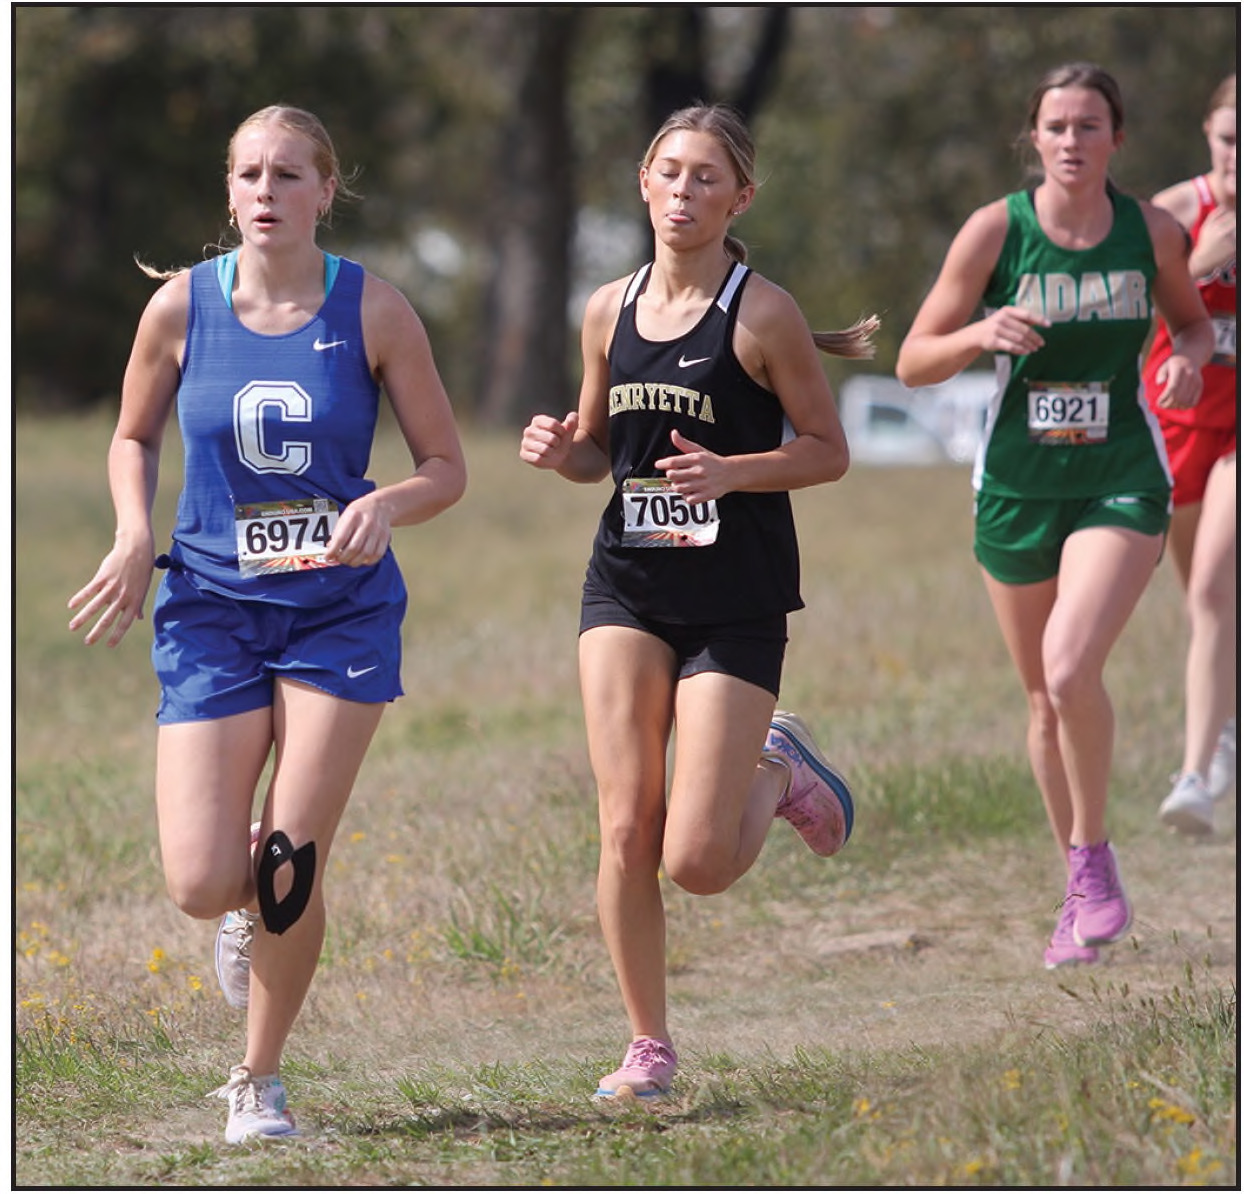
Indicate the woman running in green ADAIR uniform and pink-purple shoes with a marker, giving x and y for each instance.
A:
(1073, 487)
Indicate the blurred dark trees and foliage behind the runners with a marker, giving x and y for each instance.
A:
(497, 151)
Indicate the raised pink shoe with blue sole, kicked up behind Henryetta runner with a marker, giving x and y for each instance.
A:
(818, 802)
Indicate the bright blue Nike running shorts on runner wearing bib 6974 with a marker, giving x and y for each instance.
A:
(218, 656)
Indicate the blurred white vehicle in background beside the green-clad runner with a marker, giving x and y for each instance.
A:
(889, 423)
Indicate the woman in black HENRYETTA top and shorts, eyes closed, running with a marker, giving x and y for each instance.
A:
(705, 399)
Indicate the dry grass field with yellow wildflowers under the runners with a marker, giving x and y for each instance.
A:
(879, 1019)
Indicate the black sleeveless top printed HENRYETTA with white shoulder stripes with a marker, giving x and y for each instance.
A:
(694, 384)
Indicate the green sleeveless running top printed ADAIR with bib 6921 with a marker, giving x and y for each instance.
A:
(1070, 421)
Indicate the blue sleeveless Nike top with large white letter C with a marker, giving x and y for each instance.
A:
(268, 420)
